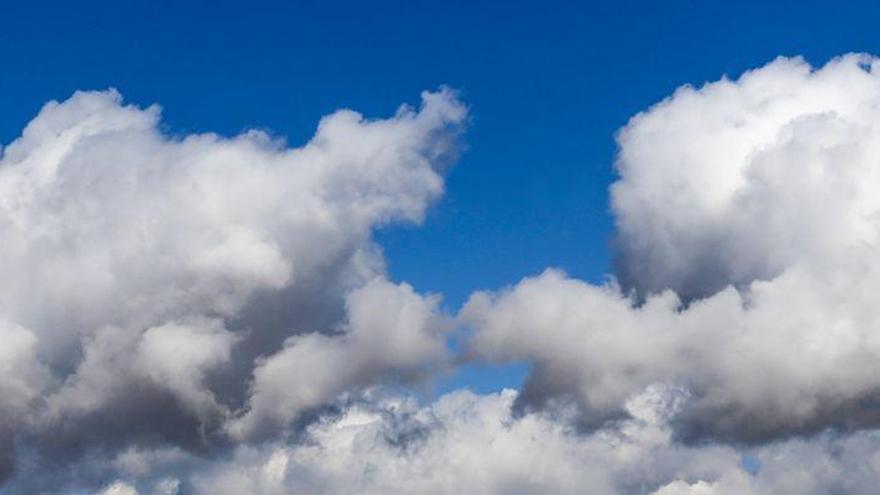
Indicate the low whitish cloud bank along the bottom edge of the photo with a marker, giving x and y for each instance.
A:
(469, 443)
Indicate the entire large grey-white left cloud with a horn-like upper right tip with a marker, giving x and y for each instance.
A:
(152, 284)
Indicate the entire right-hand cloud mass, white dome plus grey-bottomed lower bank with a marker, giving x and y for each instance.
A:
(767, 186)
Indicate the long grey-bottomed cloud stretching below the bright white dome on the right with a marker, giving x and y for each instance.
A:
(794, 355)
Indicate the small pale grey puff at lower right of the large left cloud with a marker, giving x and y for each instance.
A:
(390, 329)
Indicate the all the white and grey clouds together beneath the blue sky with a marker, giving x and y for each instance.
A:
(208, 315)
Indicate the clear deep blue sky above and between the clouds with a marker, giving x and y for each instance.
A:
(548, 83)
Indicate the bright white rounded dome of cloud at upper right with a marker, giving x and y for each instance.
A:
(740, 180)
